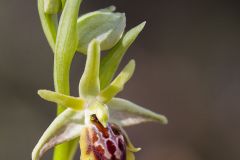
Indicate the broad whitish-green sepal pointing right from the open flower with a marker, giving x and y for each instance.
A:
(128, 113)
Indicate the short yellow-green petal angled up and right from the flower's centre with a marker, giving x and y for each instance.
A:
(118, 83)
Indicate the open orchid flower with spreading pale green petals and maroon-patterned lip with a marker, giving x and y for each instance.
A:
(96, 116)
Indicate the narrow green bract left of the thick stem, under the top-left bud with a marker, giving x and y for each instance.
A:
(49, 24)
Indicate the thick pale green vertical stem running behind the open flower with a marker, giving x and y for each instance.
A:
(65, 48)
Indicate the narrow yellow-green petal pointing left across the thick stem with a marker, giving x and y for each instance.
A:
(75, 103)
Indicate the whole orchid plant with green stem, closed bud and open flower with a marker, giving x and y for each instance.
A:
(96, 118)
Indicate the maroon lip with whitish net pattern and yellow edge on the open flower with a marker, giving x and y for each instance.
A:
(99, 143)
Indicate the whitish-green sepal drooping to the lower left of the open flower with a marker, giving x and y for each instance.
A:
(65, 127)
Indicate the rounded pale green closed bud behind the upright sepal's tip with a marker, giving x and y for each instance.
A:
(103, 25)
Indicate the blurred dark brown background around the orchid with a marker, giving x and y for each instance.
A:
(188, 68)
